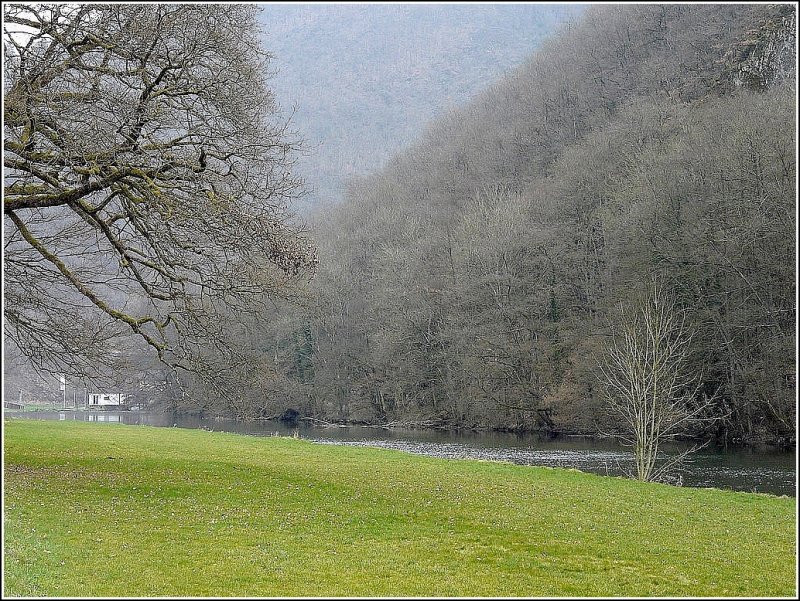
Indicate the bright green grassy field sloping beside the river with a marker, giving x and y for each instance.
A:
(110, 510)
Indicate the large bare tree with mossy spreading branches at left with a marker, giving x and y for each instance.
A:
(147, 181)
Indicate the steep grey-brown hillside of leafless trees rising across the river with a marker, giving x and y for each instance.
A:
(472, 281)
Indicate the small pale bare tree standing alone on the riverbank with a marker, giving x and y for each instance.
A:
(647, 384)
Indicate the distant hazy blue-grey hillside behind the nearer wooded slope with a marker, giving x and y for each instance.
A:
(364, 79)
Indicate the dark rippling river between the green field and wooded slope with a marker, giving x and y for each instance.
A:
(752, 469)
